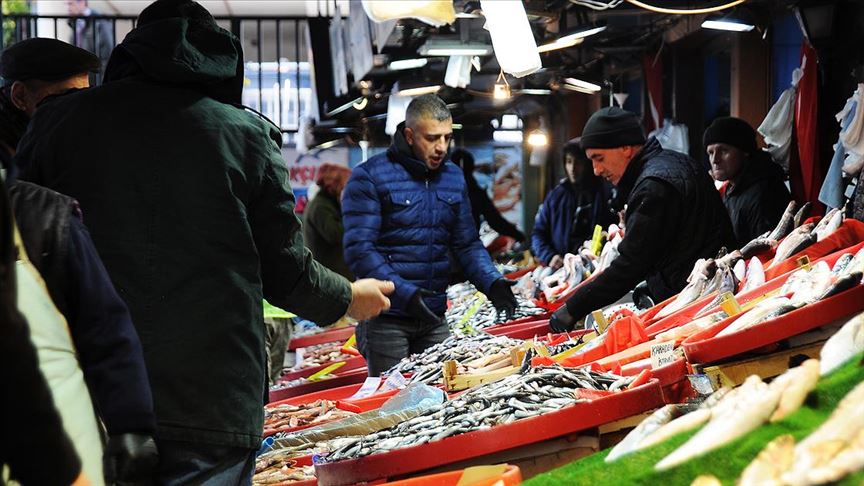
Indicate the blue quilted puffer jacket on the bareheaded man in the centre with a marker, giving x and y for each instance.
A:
(400, 220)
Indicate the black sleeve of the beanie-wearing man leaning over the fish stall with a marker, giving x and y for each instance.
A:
(650, 228)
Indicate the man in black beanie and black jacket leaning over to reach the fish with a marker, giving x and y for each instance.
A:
(673, 215)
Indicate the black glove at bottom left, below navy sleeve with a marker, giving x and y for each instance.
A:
(130, 459)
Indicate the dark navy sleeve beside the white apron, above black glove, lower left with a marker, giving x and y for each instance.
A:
(108, 346)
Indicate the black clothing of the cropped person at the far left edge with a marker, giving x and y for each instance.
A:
(31, 428)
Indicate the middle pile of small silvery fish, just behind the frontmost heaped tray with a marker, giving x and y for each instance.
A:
(426, 366)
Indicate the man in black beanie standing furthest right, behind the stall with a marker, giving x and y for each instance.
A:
(754, 192)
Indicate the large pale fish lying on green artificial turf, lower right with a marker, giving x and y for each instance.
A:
(832, 451)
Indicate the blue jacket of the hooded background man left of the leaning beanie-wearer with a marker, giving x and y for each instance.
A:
(566, 210)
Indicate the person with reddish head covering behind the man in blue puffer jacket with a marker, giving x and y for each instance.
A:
(322, 219)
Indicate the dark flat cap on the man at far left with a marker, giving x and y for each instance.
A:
(46, 60)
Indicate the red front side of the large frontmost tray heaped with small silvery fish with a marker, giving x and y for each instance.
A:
(482, 442)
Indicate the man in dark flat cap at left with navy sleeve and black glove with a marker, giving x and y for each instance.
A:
(59, 246)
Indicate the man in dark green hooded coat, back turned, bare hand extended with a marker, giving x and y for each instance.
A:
(188, 203)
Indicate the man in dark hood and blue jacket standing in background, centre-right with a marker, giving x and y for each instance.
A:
(571, 210)
